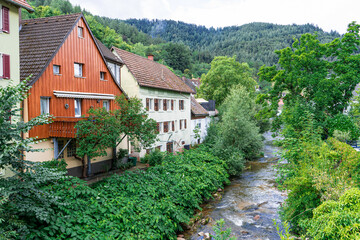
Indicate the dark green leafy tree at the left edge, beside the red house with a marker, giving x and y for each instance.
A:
(22, 192)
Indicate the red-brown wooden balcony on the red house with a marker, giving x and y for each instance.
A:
(64, 127)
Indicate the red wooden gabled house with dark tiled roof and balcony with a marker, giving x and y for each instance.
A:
(69, 75)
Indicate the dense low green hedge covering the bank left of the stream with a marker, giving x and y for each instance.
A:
(136, 205)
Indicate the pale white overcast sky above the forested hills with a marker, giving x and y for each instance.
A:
(327, 14)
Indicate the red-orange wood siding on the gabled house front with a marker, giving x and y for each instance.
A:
(79, 50)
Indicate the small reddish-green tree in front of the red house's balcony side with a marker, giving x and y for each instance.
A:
(106, 129)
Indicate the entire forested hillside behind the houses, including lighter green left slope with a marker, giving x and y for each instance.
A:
(196, 46)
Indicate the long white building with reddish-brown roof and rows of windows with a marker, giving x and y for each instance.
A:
(164, 95)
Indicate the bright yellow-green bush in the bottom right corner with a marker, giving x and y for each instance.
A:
(337, 219)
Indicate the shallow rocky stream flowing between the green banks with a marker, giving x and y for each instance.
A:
(250, 202)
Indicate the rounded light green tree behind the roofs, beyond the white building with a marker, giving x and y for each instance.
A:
(225, 73)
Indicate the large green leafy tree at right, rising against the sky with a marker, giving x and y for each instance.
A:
(320, 75)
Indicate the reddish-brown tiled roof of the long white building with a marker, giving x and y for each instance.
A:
(149, 73)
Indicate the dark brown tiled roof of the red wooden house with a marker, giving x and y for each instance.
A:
(40, 39)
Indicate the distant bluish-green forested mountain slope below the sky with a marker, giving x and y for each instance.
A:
(254, 43)
